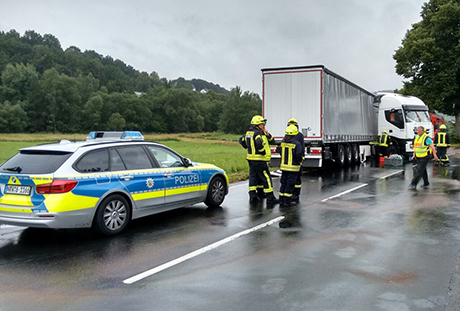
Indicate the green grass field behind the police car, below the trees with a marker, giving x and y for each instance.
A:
(217, 148)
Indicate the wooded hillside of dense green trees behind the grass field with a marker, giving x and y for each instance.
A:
(44, 88)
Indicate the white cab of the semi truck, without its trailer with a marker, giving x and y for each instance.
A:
(400, 115)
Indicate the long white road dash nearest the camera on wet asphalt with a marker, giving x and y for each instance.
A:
(200, 251)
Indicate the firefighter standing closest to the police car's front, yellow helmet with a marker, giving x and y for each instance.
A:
(256, 141)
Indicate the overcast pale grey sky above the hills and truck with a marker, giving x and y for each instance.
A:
(228, 42)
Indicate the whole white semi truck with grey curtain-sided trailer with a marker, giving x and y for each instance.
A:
(340, 120)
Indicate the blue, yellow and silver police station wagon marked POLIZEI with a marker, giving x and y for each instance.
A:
(103, 183)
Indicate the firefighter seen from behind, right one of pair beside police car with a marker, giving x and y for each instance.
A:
(291, 163)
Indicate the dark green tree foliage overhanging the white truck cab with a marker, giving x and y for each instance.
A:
(429, 57)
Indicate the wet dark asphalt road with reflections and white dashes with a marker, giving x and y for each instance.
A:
(377, 247)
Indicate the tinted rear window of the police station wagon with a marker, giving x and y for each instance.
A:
(35, 162)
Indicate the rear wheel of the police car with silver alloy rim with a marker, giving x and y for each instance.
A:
(112, 216)
